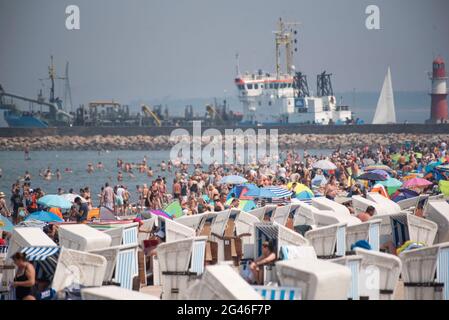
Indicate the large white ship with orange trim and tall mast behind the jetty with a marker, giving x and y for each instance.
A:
(284, 97)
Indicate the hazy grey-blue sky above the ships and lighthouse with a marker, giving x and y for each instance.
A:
(144, 49)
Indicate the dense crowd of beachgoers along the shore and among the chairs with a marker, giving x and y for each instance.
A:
(198, 189)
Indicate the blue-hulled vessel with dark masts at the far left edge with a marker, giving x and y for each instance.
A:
(41, 113)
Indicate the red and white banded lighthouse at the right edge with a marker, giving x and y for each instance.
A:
(439, 110)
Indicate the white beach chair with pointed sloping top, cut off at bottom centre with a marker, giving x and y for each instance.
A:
(221, 282)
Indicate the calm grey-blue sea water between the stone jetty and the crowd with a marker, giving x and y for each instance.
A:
(14, 165)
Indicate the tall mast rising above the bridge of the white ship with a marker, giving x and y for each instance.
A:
(284, 36)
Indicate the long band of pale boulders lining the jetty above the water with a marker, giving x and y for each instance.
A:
(142, 142)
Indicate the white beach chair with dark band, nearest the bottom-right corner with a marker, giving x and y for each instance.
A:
(418, 271)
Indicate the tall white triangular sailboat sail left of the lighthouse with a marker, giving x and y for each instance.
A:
(385, 112)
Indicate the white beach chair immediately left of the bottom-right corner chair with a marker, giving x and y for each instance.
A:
(380, 270)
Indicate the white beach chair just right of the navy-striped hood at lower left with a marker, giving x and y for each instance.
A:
(78, 268)
